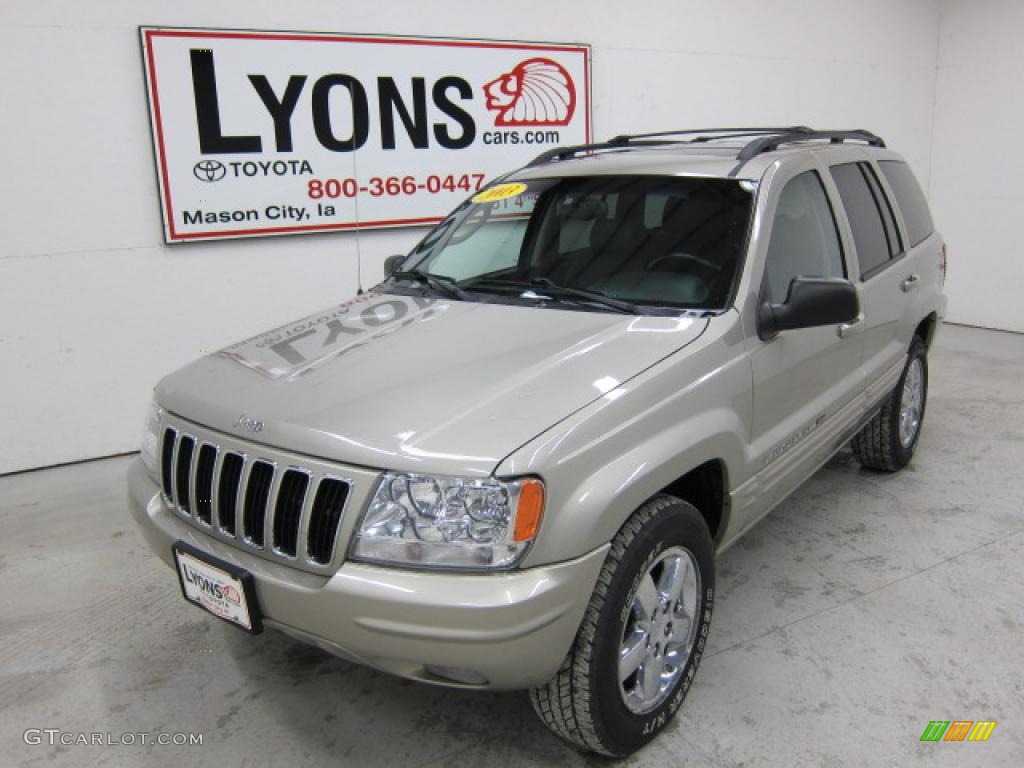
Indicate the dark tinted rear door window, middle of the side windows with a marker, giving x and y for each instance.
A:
(874, 236)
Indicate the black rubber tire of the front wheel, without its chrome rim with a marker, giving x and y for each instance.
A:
(584, 703)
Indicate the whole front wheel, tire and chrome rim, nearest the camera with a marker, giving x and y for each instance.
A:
(643, 637)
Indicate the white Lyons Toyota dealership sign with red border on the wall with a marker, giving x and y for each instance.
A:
(276, 134)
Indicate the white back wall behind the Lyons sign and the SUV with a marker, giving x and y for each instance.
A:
(95, 309)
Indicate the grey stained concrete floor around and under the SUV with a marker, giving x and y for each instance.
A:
(864, 608)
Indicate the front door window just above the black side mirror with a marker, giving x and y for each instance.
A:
(804, 240)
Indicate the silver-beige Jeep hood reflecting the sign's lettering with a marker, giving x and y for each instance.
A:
(419, 383)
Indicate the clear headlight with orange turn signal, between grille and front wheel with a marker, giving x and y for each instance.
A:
(450, 523)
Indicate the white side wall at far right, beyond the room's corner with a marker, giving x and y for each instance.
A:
(978, 167)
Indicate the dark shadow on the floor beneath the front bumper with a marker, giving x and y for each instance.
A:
(359, 716)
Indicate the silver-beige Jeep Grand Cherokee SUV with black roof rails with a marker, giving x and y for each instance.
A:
(511, 465)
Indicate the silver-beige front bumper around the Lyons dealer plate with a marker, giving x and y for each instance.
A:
(505, 631)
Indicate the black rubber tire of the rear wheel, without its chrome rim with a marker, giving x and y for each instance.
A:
(879, 446)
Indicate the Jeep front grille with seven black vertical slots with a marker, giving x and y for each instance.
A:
(246, 498)
